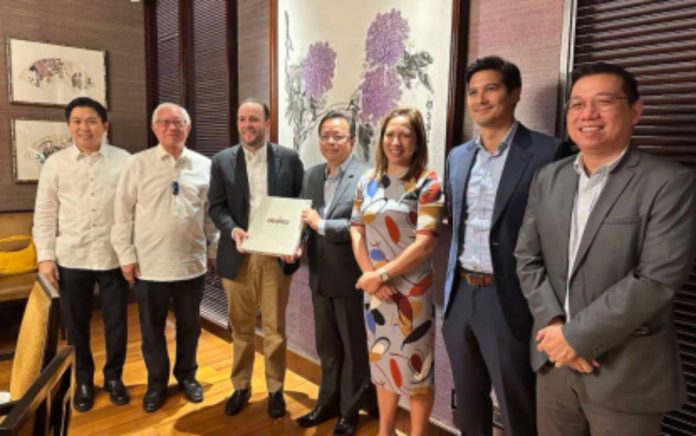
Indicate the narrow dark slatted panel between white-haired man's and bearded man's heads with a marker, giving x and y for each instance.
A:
(209, 83)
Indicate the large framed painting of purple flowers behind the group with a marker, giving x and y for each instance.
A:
(367, 58)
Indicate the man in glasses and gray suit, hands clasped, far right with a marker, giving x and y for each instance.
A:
(608, 239)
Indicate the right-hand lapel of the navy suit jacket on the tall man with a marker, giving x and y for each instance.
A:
(515, 165)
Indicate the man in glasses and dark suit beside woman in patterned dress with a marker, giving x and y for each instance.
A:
(333, 272)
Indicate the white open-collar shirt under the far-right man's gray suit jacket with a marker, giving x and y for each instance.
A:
(589, 190)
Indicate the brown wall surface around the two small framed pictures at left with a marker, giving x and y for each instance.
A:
(114, 26)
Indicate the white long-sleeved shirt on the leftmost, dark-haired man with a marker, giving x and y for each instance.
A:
(75, 208)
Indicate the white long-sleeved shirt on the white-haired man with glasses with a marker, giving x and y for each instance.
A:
(166, 231)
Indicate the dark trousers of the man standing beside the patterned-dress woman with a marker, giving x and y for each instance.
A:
(341, 340)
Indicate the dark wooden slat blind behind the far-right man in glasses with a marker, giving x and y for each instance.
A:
(656, 41)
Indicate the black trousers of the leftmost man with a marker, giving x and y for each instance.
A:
(76, 294)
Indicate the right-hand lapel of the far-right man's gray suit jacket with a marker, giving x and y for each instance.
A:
(618, 180)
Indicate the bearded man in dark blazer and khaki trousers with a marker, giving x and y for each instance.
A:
(240, 176)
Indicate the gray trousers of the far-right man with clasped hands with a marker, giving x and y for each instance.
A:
(565, 409)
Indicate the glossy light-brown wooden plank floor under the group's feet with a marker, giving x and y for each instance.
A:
(178, 416)
